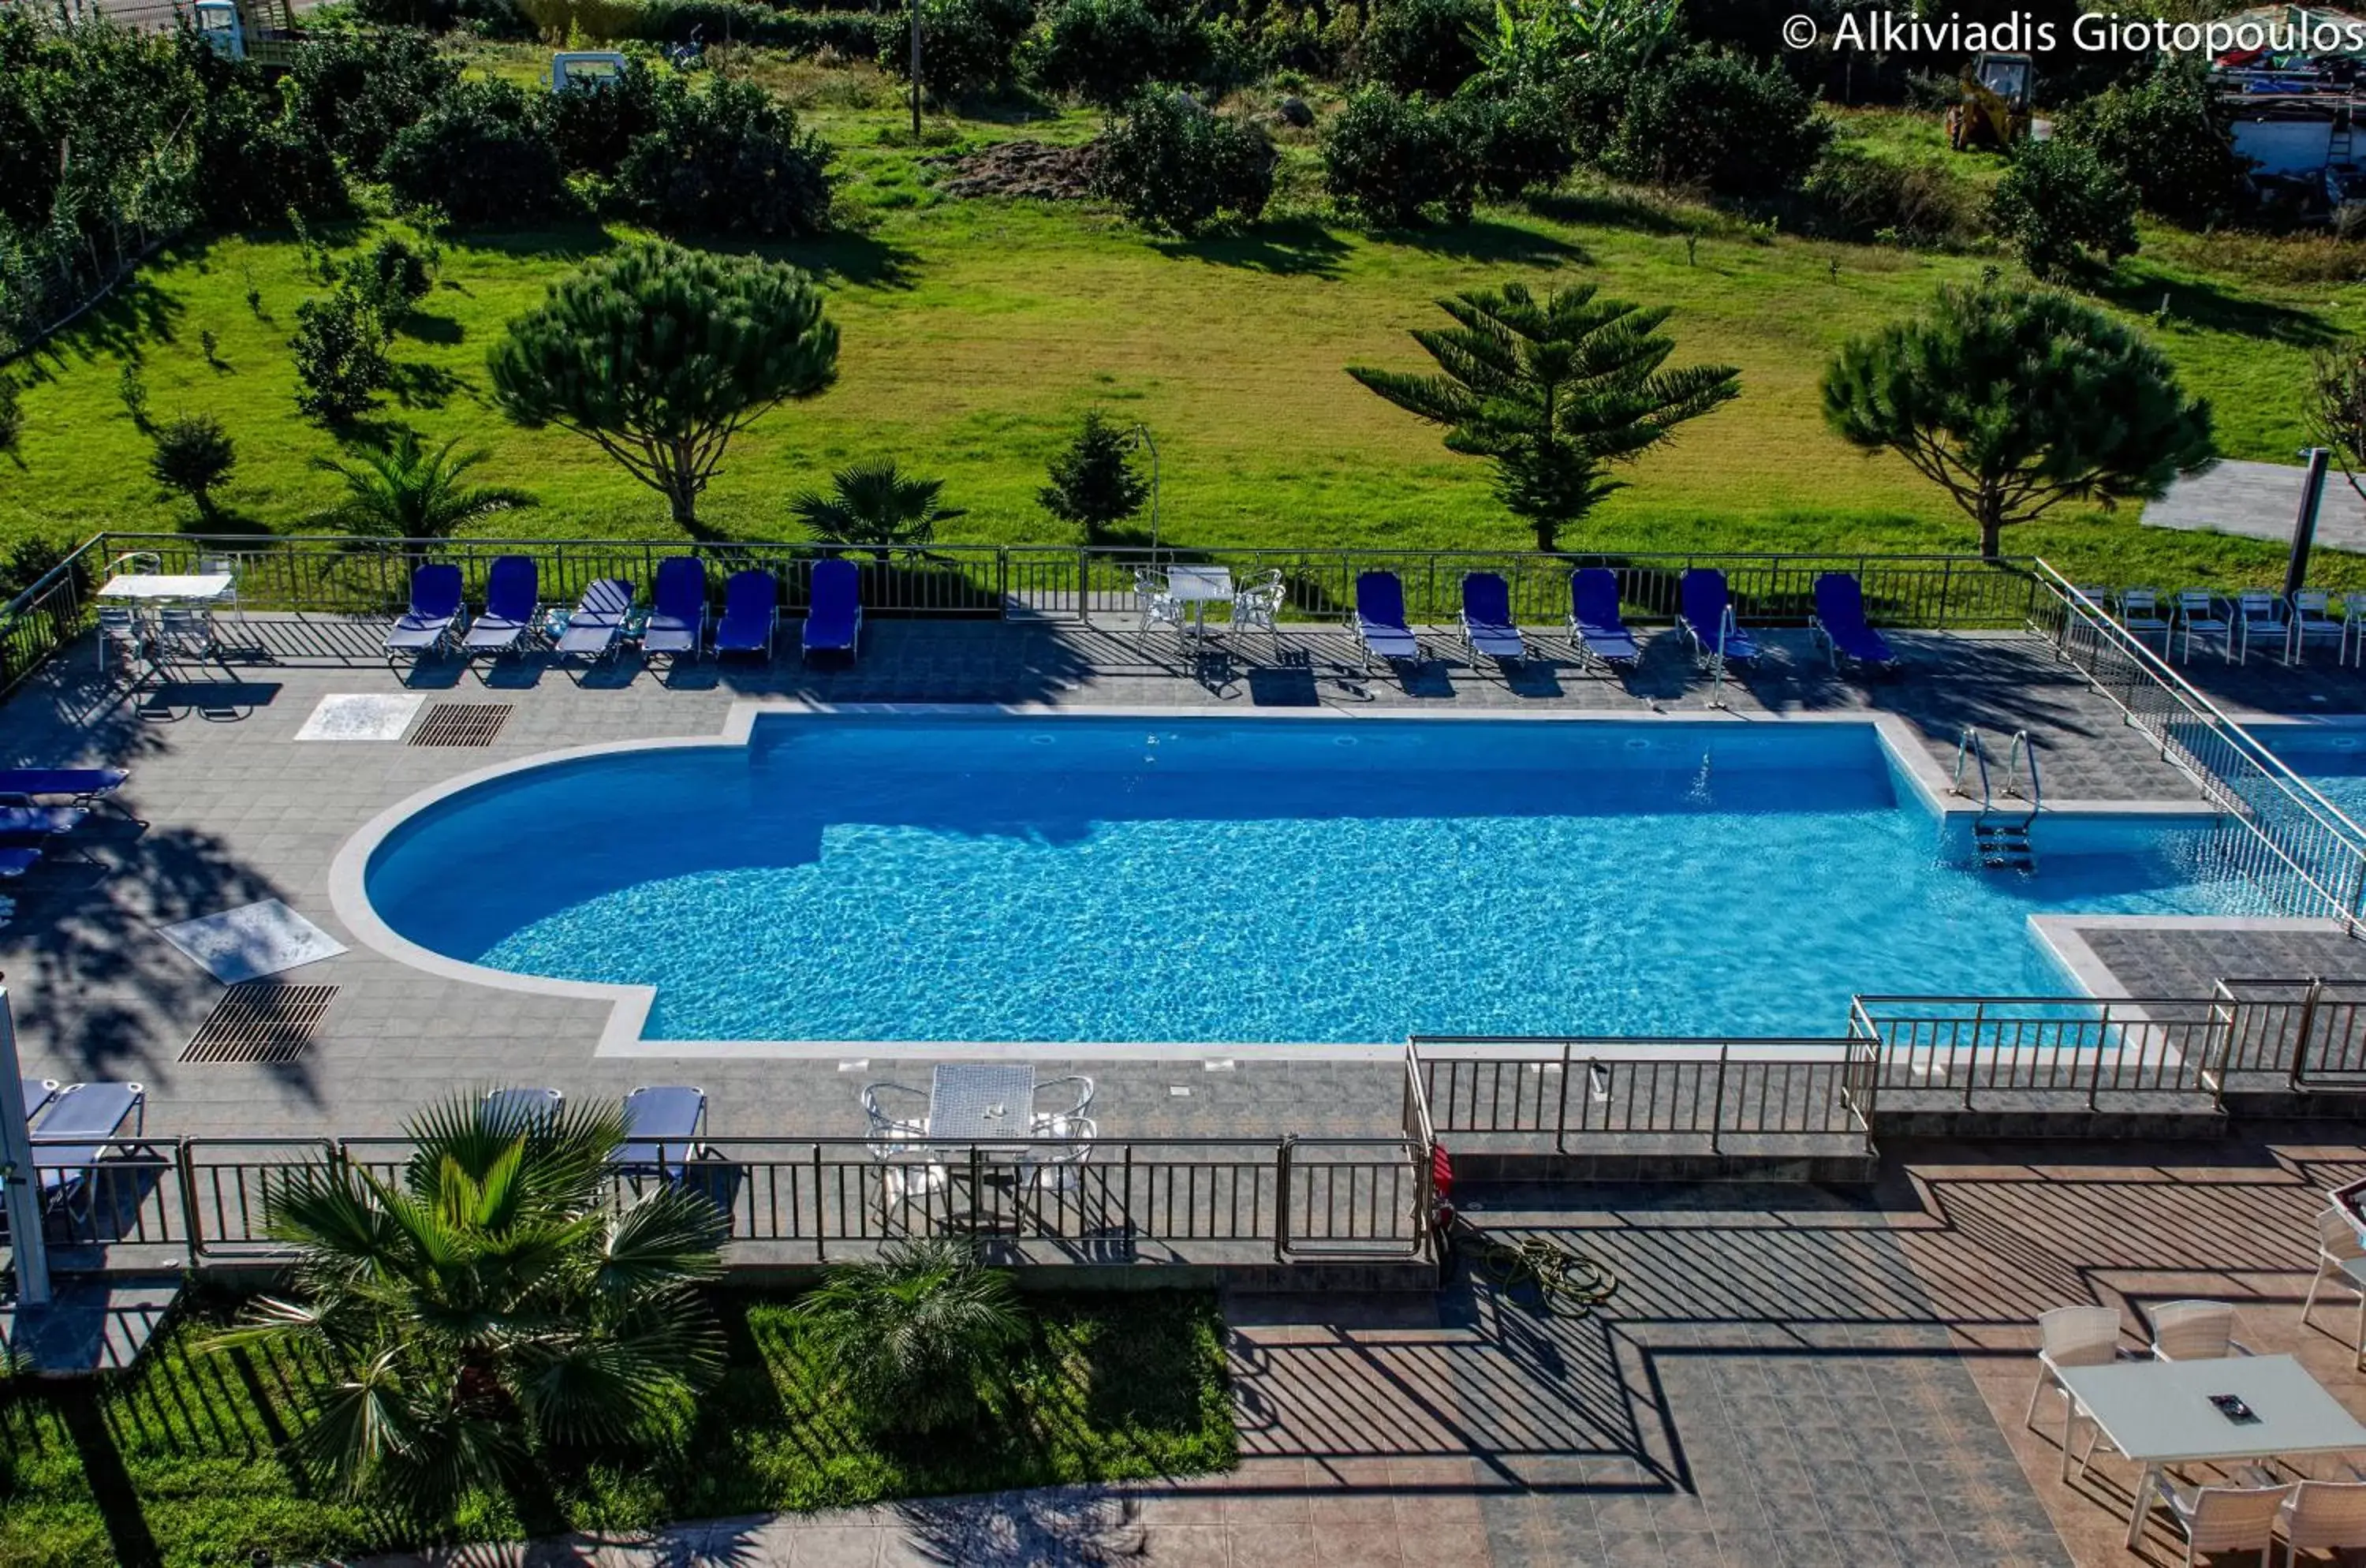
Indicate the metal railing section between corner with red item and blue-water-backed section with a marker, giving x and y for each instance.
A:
(1591, 1094)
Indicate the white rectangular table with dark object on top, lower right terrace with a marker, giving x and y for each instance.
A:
(2161, 1413)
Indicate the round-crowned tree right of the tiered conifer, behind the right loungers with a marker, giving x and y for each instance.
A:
(2017, 403)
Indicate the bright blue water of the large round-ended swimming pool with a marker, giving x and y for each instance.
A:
(1000, 879)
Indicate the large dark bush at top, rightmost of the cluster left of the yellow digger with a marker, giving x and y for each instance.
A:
(1719, 122)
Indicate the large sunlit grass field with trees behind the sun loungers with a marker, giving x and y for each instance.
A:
(976, 332)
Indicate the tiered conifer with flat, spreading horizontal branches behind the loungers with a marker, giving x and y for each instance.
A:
(1553, 391)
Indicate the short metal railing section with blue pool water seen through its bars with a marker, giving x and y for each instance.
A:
(2079, 1047)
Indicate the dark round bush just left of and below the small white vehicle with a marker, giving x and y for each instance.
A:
(477, 157)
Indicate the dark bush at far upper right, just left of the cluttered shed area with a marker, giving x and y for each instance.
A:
(2164, 138)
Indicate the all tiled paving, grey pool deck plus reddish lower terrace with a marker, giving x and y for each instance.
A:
(1788, 1378)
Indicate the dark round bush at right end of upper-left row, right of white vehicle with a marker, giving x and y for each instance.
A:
(728, 160)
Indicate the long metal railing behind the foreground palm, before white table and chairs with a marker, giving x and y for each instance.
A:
(825, 1198)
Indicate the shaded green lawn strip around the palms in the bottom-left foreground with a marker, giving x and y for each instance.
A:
(179, 1460)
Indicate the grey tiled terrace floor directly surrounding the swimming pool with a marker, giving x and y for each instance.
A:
(235, 810)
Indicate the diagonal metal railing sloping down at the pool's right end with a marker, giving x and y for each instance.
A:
(2277, 831)
